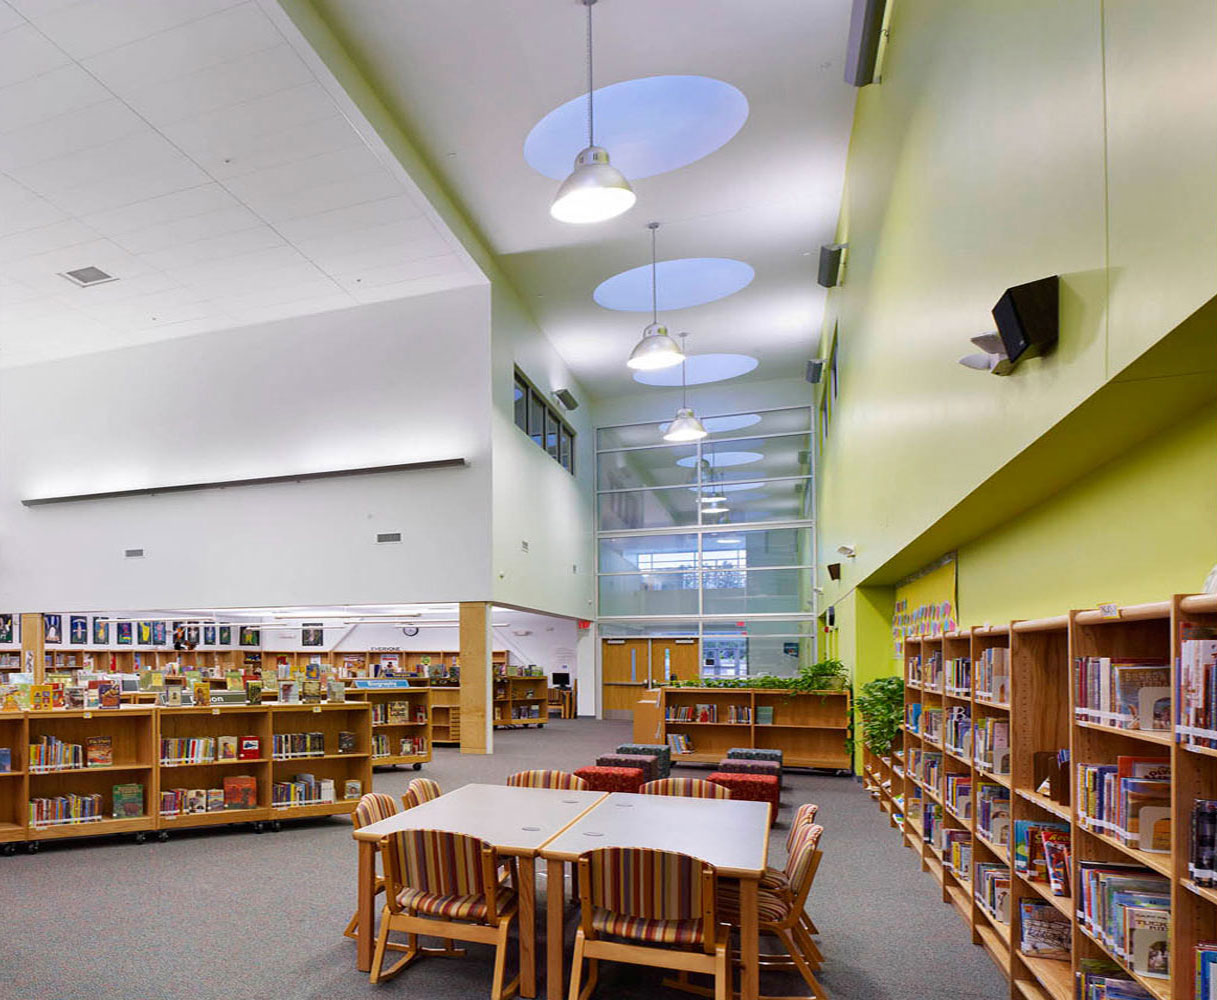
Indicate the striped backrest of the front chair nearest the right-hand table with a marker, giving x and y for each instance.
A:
(650, 885)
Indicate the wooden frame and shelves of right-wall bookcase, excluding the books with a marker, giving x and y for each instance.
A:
(1044, 658)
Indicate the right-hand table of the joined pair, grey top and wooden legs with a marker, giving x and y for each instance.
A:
(733, 836)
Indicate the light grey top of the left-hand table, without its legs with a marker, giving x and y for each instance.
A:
(514, 821)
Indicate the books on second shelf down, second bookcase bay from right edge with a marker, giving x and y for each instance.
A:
(1130, 801)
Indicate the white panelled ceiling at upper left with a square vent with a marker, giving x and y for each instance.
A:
(187, 148)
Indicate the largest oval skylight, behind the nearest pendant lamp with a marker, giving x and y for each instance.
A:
(649, 126)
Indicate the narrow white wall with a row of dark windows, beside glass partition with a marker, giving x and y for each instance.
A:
(536, 501)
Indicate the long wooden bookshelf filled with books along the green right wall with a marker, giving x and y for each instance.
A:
(1055, 778)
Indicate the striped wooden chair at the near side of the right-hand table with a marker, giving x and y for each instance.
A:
(661, 903)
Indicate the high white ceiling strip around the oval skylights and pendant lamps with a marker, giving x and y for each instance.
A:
(470, 78)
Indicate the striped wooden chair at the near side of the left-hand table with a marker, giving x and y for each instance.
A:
(445, 885)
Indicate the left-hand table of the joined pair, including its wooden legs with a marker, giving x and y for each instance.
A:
(515, 822)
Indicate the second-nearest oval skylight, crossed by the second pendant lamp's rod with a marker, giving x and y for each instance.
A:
(683, 283)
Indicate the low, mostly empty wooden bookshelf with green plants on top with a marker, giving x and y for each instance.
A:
(811, 731)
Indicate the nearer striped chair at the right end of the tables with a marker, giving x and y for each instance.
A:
(782, 913)
